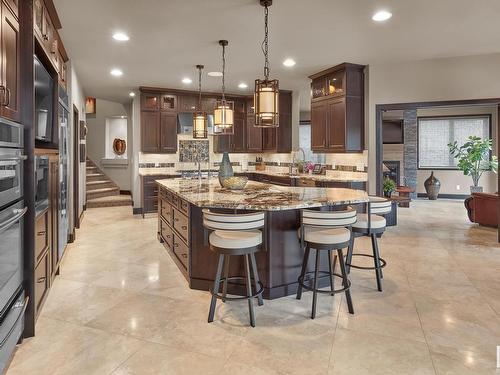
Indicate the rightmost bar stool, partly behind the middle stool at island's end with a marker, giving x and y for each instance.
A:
(370, 224)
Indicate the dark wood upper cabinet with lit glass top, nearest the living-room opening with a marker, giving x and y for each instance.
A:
(337, 109)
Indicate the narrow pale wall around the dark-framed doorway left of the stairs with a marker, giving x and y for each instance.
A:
(77, 99)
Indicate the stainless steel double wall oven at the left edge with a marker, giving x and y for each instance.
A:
(12, 211)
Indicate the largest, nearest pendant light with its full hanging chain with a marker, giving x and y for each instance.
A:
(266, 96)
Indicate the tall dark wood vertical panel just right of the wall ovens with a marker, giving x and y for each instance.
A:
(27, 119)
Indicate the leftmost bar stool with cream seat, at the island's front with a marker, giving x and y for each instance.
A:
(235, 235)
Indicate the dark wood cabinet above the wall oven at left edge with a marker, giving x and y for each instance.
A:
(10, 68)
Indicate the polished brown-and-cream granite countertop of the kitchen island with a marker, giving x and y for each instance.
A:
(260, 196)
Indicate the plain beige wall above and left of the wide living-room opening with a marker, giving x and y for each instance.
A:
(459, 78)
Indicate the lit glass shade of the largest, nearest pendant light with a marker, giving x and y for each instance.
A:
(266, 103)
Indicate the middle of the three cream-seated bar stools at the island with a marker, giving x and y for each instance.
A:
(325, 231)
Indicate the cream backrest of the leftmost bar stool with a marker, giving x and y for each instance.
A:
(219, 221)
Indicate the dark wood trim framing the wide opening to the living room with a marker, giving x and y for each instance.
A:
(380, 108)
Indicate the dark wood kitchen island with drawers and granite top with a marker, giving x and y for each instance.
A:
(180, 227)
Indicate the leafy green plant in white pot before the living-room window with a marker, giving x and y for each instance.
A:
(474, 158)
